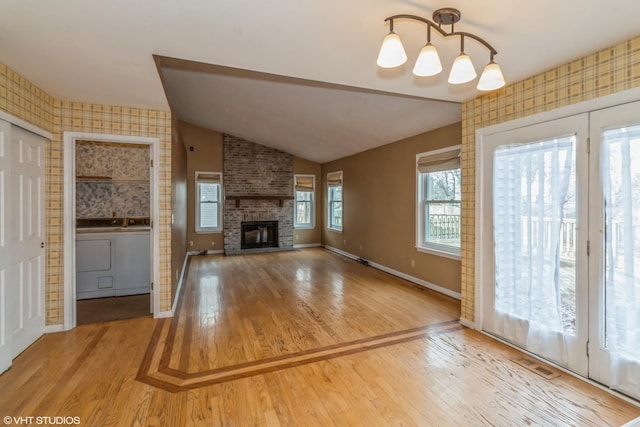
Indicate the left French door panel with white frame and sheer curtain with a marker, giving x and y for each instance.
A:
(534, 244)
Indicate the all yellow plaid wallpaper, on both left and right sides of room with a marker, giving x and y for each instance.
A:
(602, 73)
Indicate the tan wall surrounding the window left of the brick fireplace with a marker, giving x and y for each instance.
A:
(205, 157)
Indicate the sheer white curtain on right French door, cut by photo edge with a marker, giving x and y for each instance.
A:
(621, 187)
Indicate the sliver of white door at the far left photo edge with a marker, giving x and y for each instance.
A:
(6, 353)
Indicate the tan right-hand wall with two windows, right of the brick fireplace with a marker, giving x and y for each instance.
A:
(379, 208)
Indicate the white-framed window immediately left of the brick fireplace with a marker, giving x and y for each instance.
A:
(208, 202)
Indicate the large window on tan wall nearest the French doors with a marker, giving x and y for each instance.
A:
(439, 193)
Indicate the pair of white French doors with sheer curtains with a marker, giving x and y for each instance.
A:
(561, 242)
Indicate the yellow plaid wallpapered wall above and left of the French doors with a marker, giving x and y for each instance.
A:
(602, 73)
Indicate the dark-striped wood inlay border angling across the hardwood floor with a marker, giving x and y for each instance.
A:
(155, 369)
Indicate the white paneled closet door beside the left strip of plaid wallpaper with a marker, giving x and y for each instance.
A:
(26, 287)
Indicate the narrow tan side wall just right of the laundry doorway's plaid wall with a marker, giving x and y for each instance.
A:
(178, 206)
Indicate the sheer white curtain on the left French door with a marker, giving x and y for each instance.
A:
(534, 191)
